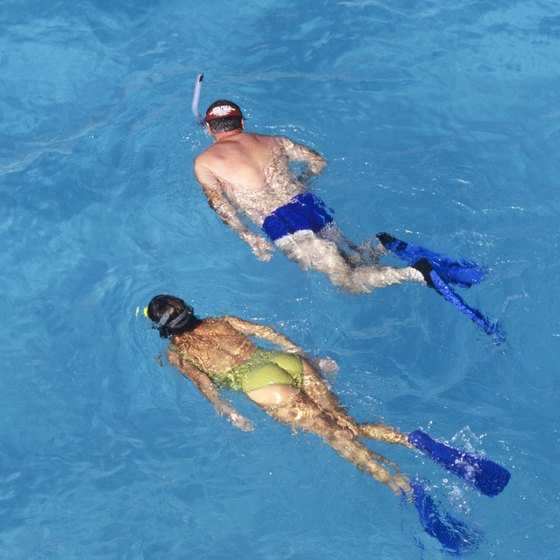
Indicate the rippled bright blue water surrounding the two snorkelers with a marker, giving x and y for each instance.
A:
(441, 124)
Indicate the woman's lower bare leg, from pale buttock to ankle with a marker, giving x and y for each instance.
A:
(294, 408)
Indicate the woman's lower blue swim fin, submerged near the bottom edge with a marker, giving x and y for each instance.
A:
(456, 537)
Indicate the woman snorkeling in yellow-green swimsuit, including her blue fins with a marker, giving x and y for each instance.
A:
(216, 353)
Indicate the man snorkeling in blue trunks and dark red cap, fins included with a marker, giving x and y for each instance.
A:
(247, 175)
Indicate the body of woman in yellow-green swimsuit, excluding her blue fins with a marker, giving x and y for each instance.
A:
(216, 353)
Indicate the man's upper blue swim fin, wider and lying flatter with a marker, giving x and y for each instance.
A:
(461, 272)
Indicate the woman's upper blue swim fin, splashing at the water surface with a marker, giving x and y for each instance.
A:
(487, 477)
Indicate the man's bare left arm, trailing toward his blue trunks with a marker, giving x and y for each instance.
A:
(214, 192)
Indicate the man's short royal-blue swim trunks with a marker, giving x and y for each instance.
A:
(304, 212)
